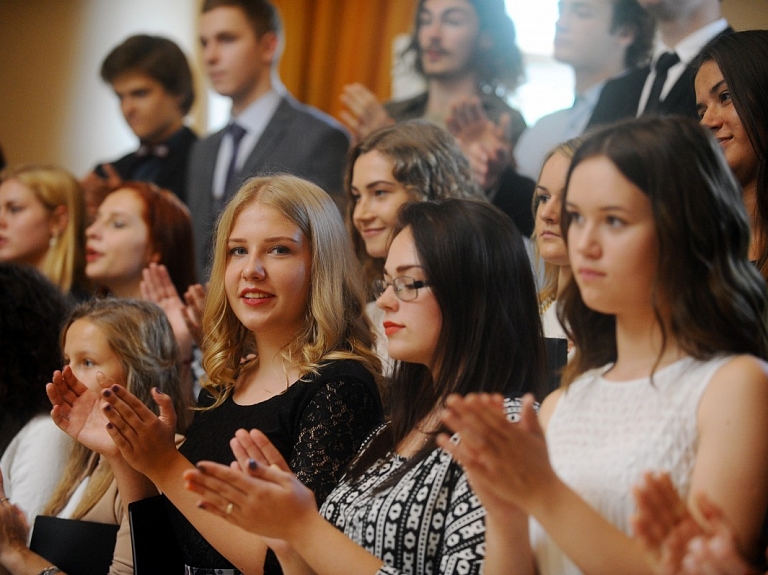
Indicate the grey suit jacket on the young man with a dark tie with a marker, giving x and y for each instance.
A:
(298, 140)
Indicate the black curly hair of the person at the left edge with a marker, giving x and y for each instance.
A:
(32, 311)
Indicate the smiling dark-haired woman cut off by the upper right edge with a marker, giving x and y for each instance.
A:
(731, 88)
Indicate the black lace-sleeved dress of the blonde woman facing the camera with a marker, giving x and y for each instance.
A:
(318, 425)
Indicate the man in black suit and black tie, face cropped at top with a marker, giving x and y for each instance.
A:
(684, 27)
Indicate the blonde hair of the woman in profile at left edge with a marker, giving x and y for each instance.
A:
(64, 262)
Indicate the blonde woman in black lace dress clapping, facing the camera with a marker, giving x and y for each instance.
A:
(287, 350)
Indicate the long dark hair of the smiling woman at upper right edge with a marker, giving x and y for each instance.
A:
(748, 84)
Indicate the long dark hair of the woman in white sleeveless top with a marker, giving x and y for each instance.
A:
(706, 293)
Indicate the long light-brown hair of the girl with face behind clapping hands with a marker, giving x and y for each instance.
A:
(139, 333)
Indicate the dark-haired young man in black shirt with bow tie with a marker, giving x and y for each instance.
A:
(152, 80)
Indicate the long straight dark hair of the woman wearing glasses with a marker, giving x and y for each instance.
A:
(491, 337)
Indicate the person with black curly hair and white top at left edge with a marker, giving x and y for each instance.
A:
(32, 311)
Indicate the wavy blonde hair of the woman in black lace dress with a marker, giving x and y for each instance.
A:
(336, 325)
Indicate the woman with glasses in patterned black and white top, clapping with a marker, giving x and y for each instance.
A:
(454, 326)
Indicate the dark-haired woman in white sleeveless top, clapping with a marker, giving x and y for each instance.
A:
(667, 316)
